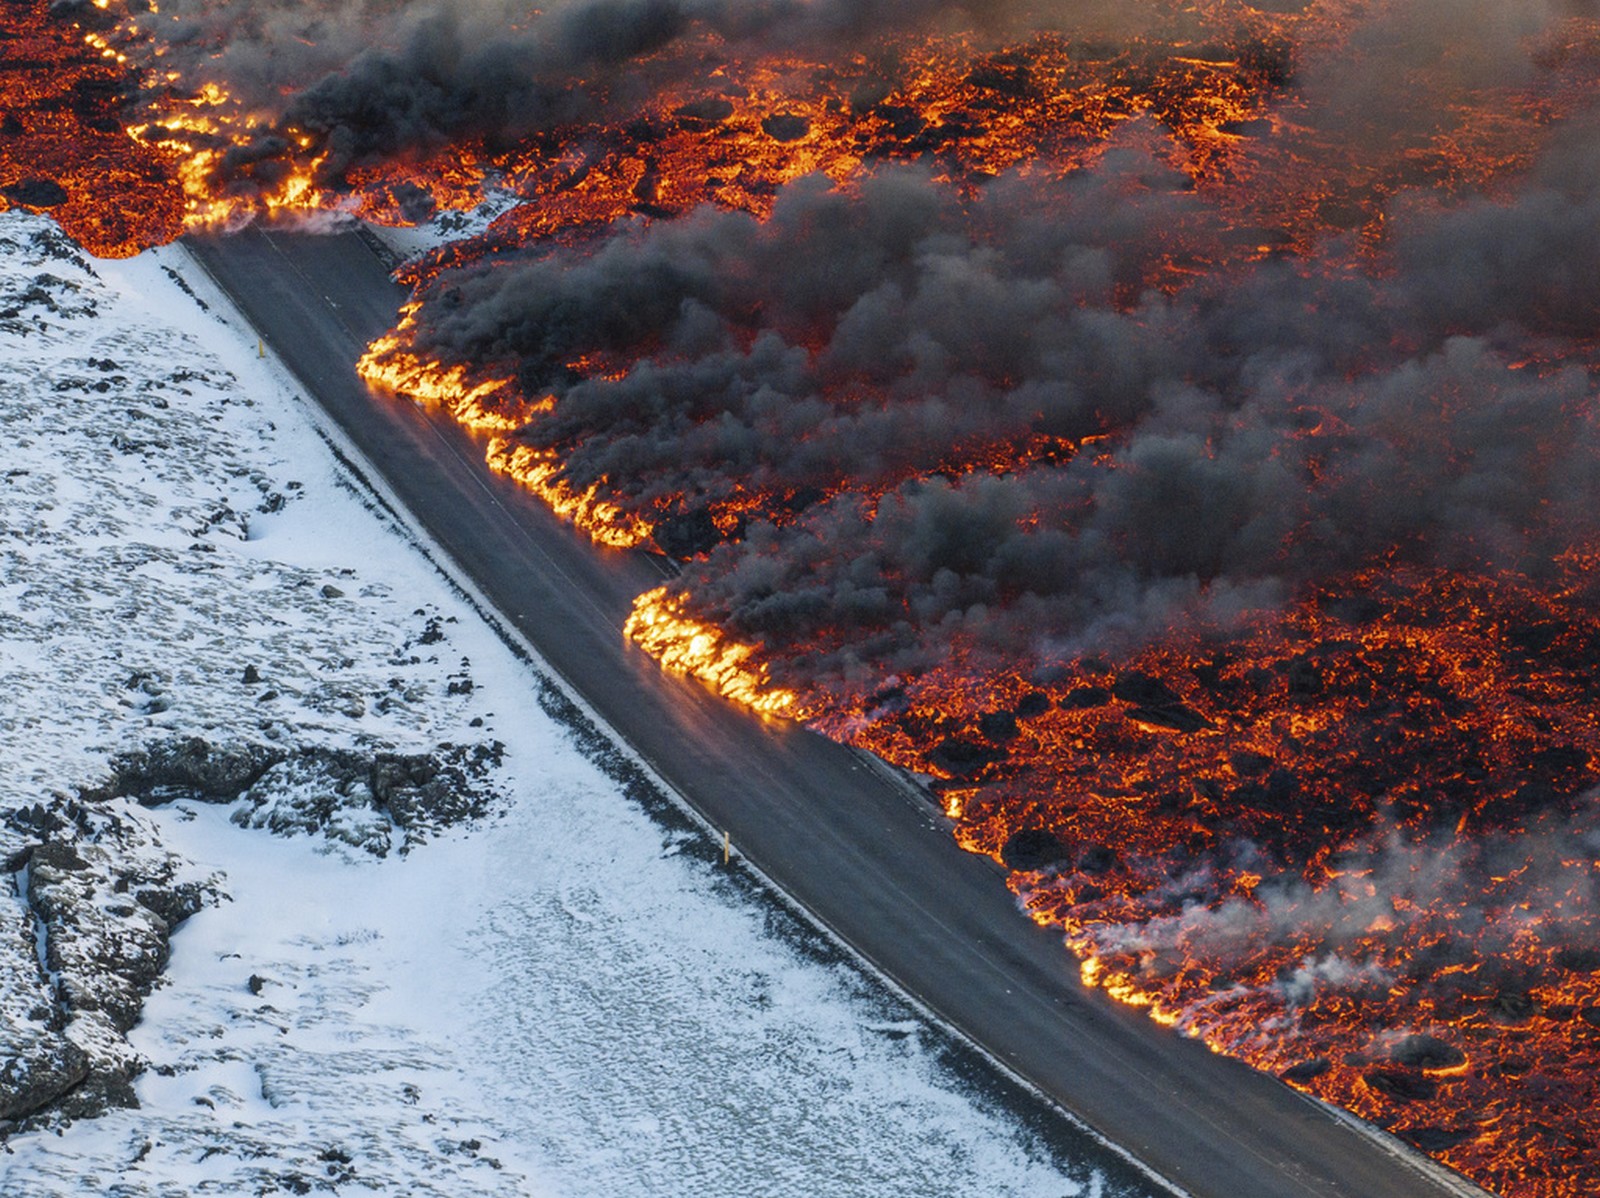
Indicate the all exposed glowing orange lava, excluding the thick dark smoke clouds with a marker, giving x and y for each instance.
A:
(1350, 837)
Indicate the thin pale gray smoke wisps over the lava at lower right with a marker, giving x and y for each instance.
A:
(1396, 920)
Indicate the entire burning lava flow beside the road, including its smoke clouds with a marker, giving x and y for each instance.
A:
(1169, 428)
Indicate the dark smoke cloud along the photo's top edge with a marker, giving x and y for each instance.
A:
(380, 81)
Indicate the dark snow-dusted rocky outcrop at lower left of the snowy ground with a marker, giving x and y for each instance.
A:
(90, 898)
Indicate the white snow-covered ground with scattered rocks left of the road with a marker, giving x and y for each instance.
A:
(554, 992)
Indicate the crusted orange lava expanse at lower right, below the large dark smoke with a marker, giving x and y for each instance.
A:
(1354, 845)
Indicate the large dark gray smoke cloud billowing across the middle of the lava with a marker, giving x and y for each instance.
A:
(873, 351)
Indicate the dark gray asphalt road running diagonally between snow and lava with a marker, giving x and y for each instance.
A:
(862, 853)
